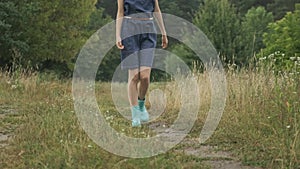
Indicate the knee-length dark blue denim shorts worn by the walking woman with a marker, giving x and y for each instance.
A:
(139, 40)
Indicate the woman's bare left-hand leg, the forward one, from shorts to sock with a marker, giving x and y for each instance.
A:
(133, 79)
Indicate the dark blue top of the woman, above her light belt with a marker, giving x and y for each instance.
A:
(139, 6)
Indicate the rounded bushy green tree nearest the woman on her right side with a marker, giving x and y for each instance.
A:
(219, 21)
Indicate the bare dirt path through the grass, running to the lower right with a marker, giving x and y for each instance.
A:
(216, 158)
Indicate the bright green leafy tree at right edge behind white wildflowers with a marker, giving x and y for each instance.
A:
(284, 38)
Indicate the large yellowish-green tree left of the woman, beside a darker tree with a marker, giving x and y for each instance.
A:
(55, 30)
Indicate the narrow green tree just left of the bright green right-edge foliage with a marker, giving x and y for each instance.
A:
(254, 24)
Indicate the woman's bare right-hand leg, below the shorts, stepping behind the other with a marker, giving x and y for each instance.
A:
(144, 81)
